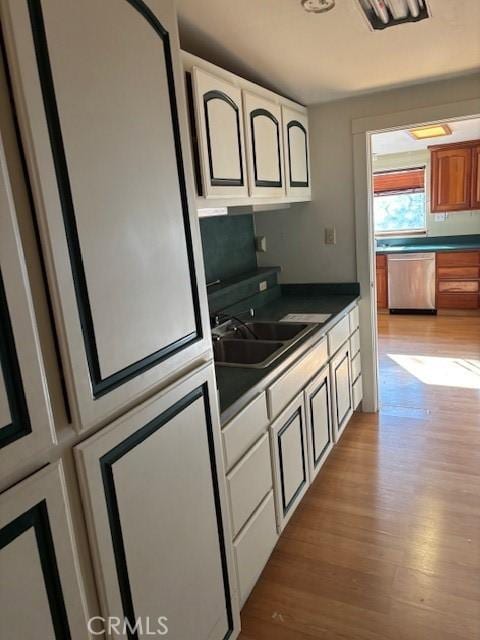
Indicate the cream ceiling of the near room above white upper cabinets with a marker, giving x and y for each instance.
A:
(321, 57)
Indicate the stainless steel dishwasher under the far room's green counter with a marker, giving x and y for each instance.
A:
(411, 282)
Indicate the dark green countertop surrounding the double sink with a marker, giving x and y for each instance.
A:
(238, 385)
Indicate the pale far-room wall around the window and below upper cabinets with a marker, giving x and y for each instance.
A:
(457, 223)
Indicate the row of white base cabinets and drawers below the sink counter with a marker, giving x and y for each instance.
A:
(275, 446)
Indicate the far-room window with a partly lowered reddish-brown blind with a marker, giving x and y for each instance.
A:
(399, 201)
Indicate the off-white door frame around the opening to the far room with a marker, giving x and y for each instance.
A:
(362, 131)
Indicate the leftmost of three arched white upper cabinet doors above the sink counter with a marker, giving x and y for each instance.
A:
(219, 120)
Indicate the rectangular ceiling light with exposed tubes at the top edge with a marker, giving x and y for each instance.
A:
(388, 13)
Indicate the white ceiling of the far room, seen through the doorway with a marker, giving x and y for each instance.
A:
(402, 141)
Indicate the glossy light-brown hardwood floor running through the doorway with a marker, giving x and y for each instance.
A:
(386, 543)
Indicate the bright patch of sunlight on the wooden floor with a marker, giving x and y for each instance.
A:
(444, 372)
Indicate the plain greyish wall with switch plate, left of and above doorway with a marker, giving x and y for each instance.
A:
(296, 236)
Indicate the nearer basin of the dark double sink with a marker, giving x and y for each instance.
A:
(252, 353)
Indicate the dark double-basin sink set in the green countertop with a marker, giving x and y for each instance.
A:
(257, 344)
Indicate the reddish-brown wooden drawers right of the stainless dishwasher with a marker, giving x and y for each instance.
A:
(458, 279)
